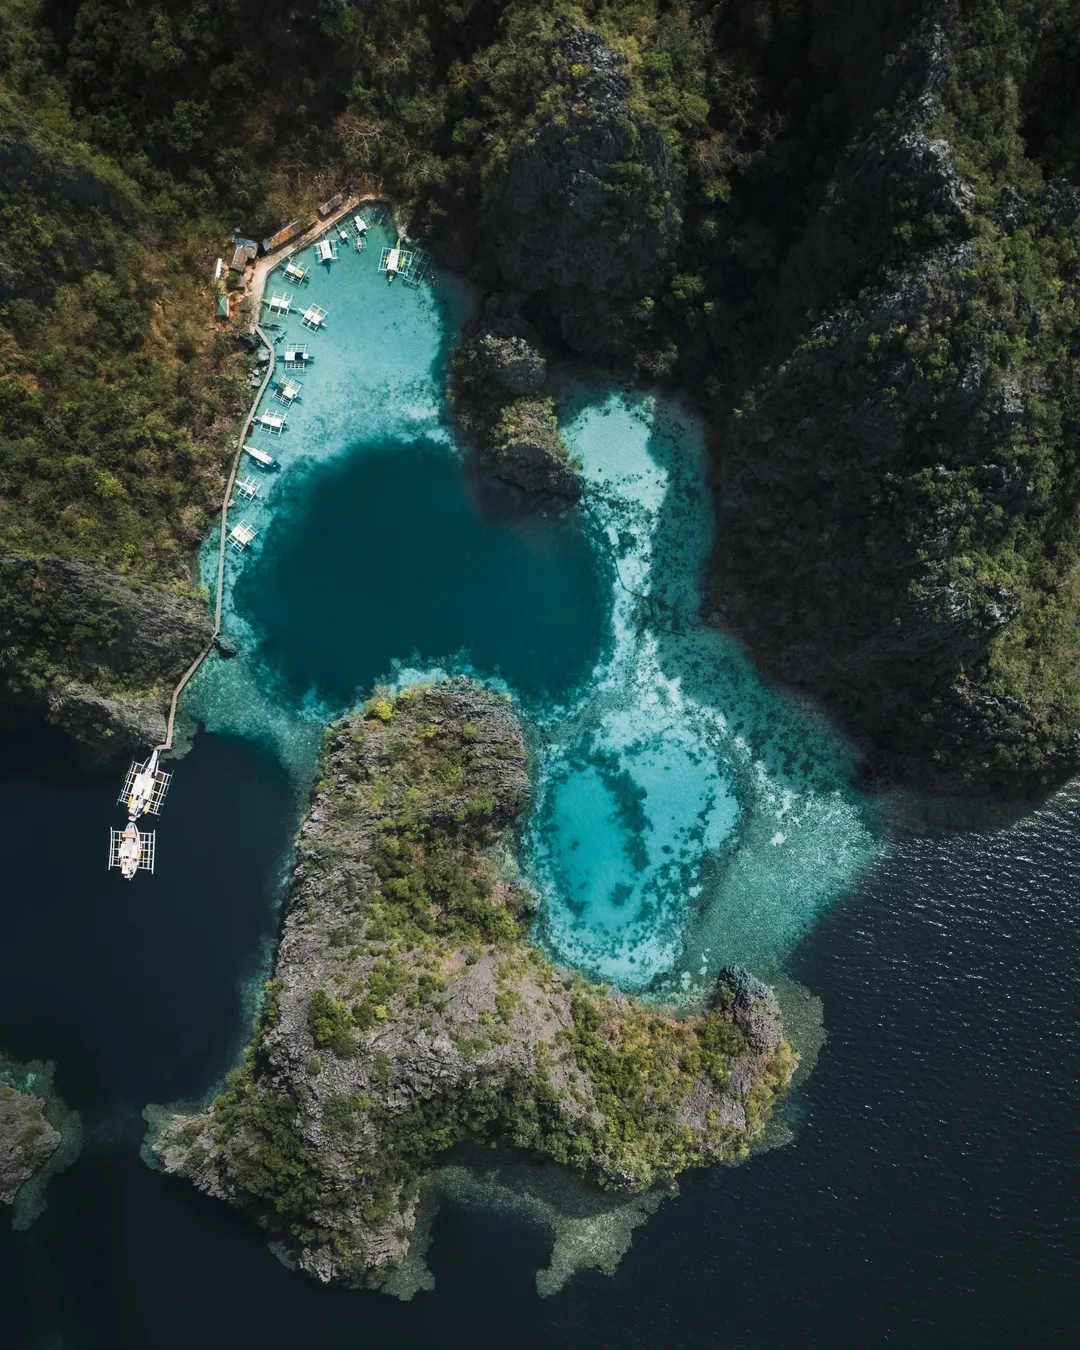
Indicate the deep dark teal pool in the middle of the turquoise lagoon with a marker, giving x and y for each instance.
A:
(395, 556)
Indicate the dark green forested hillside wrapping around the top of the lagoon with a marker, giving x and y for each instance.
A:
(848, 233)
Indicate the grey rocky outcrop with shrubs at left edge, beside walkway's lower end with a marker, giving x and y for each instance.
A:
(98, 653)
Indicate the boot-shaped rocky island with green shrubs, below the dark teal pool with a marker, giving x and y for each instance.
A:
(410, 1013)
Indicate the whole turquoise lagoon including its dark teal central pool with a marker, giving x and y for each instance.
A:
(686, 815)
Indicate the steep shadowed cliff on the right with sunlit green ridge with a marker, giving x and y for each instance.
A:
(897, 493)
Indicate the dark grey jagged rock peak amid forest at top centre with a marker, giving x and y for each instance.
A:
(588, 209)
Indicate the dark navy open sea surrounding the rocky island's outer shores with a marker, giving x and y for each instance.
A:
(931, 1199)
